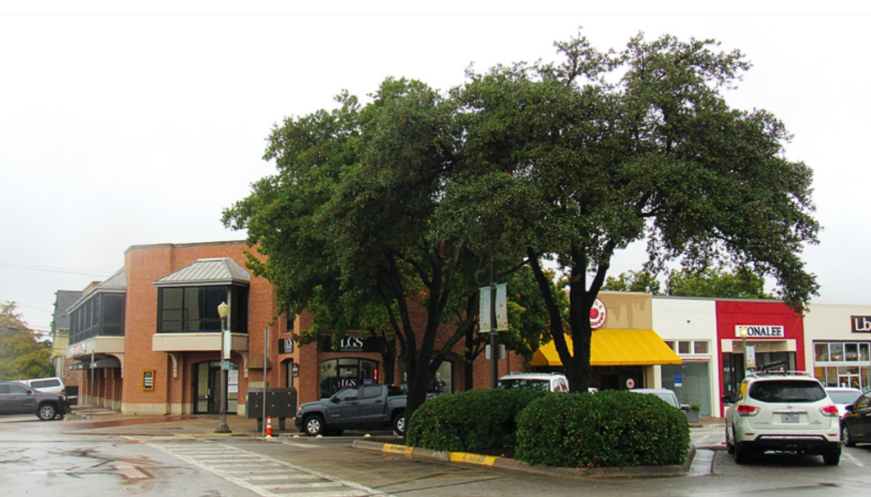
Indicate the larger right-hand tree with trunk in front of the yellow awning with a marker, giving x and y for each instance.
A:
(607, 148)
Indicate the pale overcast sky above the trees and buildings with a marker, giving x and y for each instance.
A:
(138, 123)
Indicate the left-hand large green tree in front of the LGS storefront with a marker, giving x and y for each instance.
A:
(354, 227)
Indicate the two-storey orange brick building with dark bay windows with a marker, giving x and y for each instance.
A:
(152, 334)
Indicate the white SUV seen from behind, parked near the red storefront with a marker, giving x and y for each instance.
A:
(782, 411)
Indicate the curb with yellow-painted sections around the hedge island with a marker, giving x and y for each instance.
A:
(509, 464)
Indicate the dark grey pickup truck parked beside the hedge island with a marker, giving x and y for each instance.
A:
(365, 407)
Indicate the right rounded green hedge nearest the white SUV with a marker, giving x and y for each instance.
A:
(607, 429)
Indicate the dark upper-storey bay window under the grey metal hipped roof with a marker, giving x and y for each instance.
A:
(195, 309)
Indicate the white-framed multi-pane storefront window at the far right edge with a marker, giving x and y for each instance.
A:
(843, 364)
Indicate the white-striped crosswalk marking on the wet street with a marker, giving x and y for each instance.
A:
(267, 476)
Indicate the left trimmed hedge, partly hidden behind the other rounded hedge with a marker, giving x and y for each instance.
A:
(469, 421)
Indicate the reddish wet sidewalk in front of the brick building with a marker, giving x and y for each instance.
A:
(105, 421)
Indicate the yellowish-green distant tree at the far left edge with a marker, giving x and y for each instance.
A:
(22, 355)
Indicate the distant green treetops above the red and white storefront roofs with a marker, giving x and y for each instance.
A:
(741, 283)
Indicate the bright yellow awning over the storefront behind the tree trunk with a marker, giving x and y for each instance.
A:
(616, 348)
